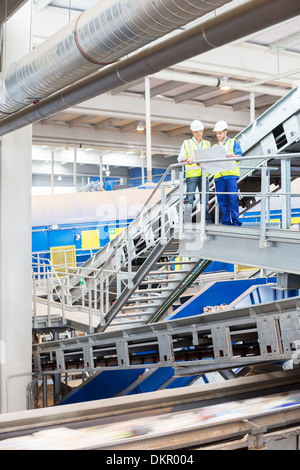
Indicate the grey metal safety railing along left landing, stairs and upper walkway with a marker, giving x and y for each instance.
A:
(98, 287)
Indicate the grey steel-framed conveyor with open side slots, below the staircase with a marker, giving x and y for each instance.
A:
(225, 340)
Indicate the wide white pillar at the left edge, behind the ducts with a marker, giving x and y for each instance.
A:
(15, 239)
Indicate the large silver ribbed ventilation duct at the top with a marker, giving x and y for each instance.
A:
(102, 34)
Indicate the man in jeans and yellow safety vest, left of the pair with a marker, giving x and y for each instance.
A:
(193, 171)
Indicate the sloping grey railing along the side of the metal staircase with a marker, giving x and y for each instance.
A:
(121, 254)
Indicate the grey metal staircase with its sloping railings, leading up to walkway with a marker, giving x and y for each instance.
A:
(139, 274)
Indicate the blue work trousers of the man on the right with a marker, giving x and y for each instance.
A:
(228, 203)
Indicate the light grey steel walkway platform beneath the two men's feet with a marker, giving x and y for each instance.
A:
(273, 249)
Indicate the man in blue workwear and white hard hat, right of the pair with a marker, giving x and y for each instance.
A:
(226, 181)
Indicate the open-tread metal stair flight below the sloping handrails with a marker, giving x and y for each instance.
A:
(155, 287)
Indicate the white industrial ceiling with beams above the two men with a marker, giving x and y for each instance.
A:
(260, 68)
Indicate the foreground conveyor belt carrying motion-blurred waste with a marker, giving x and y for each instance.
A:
(246, 409)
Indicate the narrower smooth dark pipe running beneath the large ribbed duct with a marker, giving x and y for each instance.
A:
(245, 19)
